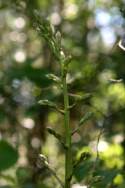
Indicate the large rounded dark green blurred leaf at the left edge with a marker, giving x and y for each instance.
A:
(8, 155)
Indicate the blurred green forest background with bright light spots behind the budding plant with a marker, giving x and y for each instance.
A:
(90, 33)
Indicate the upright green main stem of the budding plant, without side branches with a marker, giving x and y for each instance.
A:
(68, 154)
